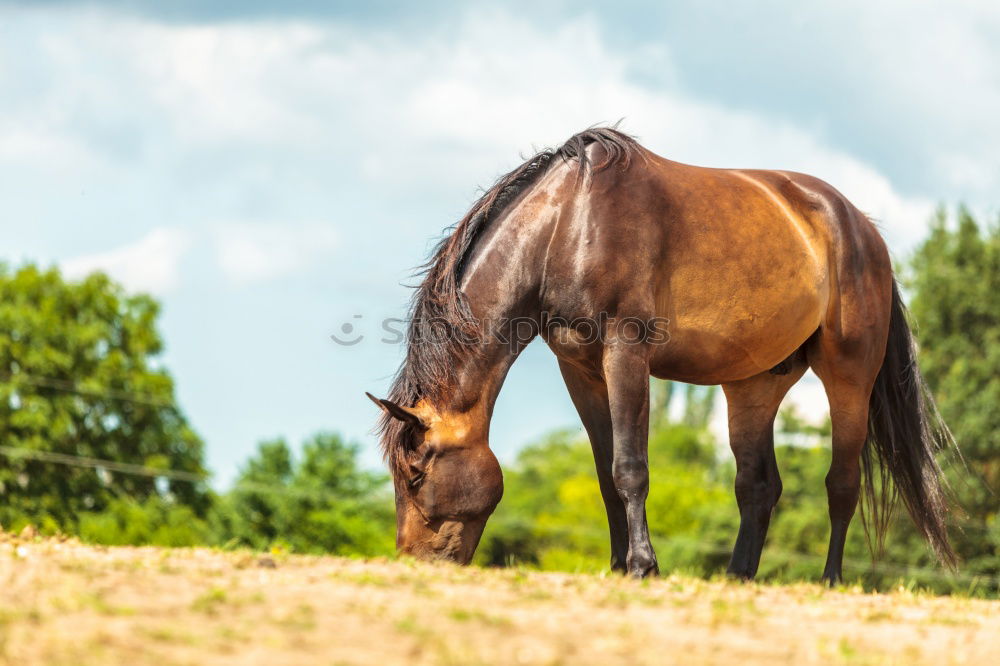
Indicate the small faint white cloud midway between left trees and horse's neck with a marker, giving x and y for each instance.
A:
(254, 252)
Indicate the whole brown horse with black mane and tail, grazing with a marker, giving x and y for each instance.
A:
(631, 265)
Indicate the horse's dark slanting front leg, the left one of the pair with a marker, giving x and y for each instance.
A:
(590, 396)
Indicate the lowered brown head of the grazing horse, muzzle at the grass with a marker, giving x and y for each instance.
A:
(447, 482)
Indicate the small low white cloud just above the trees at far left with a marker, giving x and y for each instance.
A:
(152, 264)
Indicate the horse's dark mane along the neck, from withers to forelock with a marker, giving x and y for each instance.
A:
(440, 321)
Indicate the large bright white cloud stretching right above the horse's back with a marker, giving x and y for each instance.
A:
(567, 80)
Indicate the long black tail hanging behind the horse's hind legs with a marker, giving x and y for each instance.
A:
(905, 433)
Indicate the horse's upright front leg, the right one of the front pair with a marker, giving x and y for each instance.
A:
(626, 371)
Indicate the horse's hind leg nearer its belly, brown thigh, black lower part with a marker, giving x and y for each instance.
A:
(753, 404)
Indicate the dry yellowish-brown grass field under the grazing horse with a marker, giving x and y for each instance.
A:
(62, 602)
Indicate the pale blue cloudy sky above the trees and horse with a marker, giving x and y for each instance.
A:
(272, 171)
